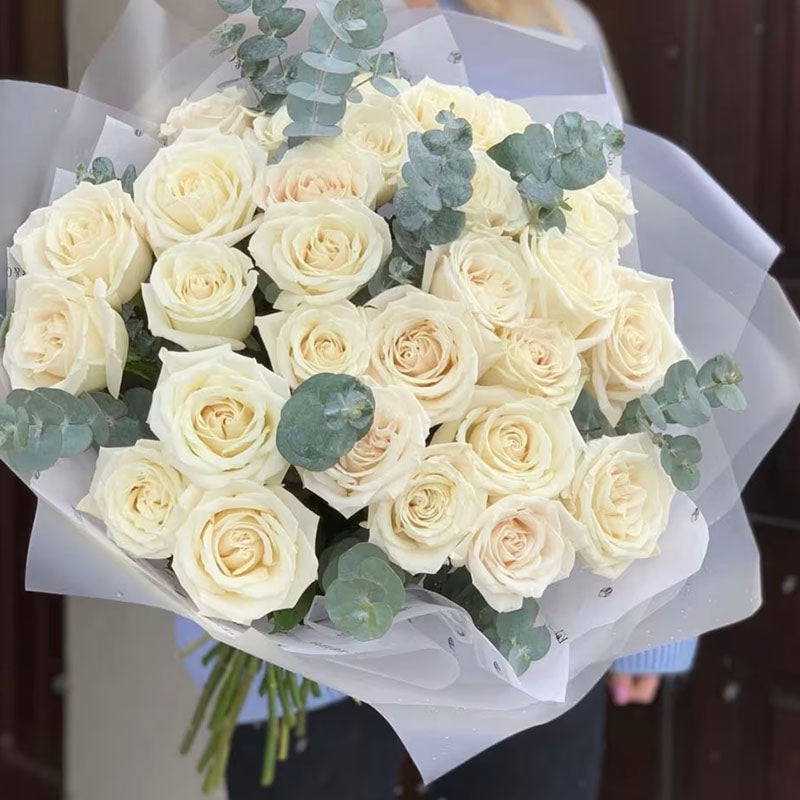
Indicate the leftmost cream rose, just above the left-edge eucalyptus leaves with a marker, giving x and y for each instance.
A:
(61, 338)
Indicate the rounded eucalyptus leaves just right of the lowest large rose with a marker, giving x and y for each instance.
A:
(363, 590)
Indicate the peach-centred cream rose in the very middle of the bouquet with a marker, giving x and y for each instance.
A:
(425, 344)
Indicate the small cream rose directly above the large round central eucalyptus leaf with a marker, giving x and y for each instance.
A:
(316, 339)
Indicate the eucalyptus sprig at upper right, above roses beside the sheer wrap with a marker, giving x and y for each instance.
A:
(544, 163)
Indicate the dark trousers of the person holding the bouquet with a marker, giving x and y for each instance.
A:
(353, 754)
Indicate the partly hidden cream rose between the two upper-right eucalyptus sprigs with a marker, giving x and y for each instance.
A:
(495, 205)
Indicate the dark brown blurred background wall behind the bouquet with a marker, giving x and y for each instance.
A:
(720, 77)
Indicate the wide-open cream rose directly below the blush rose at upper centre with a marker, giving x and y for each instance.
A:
(320, 251)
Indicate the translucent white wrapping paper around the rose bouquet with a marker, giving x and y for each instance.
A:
(437, 680)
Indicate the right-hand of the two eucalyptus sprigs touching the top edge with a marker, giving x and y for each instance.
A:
(338, 36)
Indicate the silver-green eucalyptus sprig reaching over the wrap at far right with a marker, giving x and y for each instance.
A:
(686, 398)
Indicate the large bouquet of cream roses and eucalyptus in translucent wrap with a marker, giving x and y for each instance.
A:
(363, 374)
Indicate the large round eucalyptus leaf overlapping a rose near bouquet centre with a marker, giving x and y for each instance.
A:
(324, 418)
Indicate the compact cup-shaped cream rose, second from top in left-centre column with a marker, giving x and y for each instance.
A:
(200, 295)
